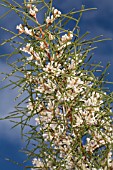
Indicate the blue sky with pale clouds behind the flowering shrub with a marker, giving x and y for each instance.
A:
(96, 22)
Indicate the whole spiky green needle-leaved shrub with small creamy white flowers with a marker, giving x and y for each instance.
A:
(72, 112)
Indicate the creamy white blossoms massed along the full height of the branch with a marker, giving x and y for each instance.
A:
(65, 101)
